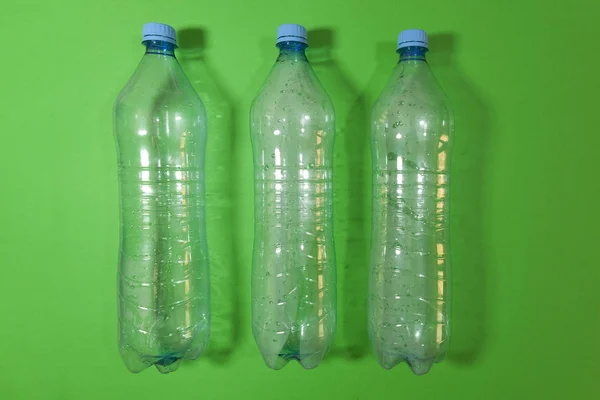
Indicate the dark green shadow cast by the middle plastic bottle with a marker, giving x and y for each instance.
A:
(351, 184)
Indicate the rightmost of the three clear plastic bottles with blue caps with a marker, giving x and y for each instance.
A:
(412, 128)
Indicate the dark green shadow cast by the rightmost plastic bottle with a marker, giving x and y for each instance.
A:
(467, 234)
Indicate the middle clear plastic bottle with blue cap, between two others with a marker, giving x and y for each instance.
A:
(293, 276)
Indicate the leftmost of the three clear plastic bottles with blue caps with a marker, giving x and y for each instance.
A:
(160, 128)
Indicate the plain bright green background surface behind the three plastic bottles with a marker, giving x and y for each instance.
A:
(523, 79)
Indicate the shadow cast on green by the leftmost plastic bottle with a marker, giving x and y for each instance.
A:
(225, 307)
